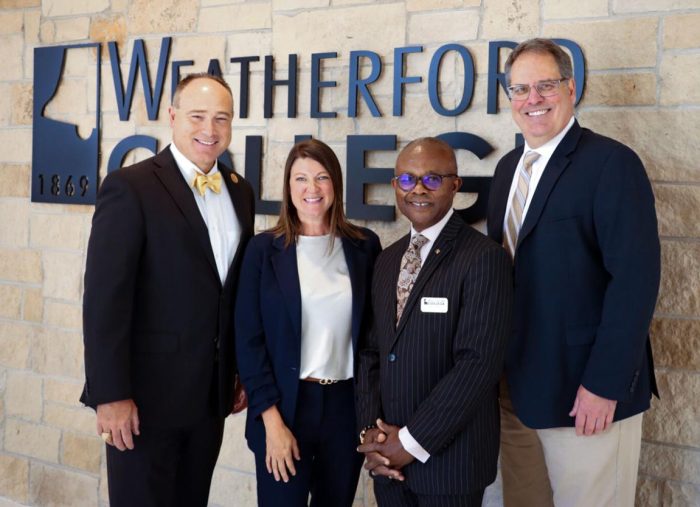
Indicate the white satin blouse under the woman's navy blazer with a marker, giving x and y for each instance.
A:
(326, 309)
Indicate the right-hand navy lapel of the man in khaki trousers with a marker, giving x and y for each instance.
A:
(551, 174)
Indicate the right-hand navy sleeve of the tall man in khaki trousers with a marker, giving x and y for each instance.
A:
(626, 228)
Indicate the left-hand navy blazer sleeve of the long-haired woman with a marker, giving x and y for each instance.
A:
(254, 366)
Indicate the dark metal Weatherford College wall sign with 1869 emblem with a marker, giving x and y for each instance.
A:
(65, 167)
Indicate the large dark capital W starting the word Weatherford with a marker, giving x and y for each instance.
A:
(138, 59)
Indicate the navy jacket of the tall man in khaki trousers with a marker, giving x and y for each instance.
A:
(586, 273)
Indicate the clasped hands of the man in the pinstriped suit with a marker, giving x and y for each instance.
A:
(384, 453)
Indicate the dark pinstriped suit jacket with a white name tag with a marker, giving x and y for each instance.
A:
(437, 373)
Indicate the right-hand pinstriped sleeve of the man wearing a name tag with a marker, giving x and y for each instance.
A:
(478, 349)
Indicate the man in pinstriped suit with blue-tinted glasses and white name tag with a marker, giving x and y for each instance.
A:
(429, 370)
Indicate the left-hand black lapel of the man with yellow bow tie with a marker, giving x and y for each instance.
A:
(168, 173)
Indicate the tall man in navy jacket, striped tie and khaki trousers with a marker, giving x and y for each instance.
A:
(576, 212)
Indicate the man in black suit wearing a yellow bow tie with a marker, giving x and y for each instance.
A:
(167, 238)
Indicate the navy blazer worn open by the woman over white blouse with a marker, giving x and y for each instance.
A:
(268, 322)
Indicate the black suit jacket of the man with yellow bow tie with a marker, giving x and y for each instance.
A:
(156, 317)
